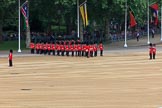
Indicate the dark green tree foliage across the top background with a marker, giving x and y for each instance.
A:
(46, 14)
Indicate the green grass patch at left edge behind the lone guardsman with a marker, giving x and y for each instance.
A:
(7, 45)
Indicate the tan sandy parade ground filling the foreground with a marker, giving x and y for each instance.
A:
(122, 78)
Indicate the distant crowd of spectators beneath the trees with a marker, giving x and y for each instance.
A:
(95, 36)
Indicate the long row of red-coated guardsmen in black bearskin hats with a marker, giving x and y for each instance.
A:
(61, 48)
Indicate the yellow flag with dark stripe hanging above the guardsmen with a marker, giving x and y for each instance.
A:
(83, 11)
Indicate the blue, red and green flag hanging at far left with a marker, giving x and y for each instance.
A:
(24, 11)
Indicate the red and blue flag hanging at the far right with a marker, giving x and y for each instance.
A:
(155, 7)
